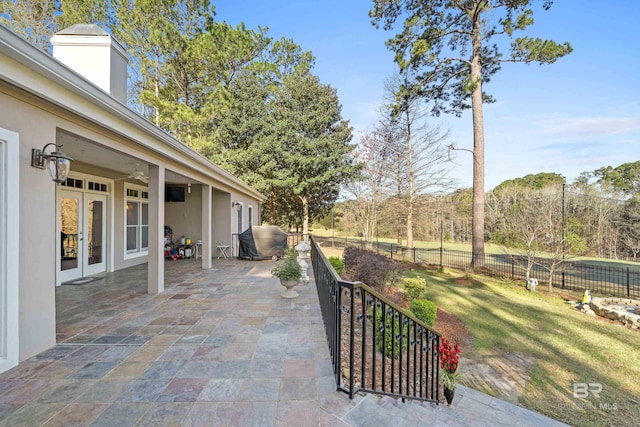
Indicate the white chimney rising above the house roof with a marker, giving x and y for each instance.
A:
(94, 54)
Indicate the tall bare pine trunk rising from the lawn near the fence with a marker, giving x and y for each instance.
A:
(477, 229)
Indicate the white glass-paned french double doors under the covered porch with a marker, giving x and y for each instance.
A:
(83, 234)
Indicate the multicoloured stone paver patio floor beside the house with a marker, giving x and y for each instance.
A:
(219, 347)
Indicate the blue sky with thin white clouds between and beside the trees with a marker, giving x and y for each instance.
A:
(576, 115)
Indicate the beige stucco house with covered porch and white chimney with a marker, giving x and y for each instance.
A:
(100, 219)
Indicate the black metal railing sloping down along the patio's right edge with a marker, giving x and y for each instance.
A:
(375, 346)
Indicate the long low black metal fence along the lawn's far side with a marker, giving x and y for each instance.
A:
(572, 275)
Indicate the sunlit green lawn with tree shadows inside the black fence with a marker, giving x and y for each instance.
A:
(566, 345)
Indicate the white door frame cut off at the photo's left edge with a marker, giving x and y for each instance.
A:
(9, 249)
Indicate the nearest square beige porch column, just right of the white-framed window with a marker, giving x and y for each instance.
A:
(155, 266)
